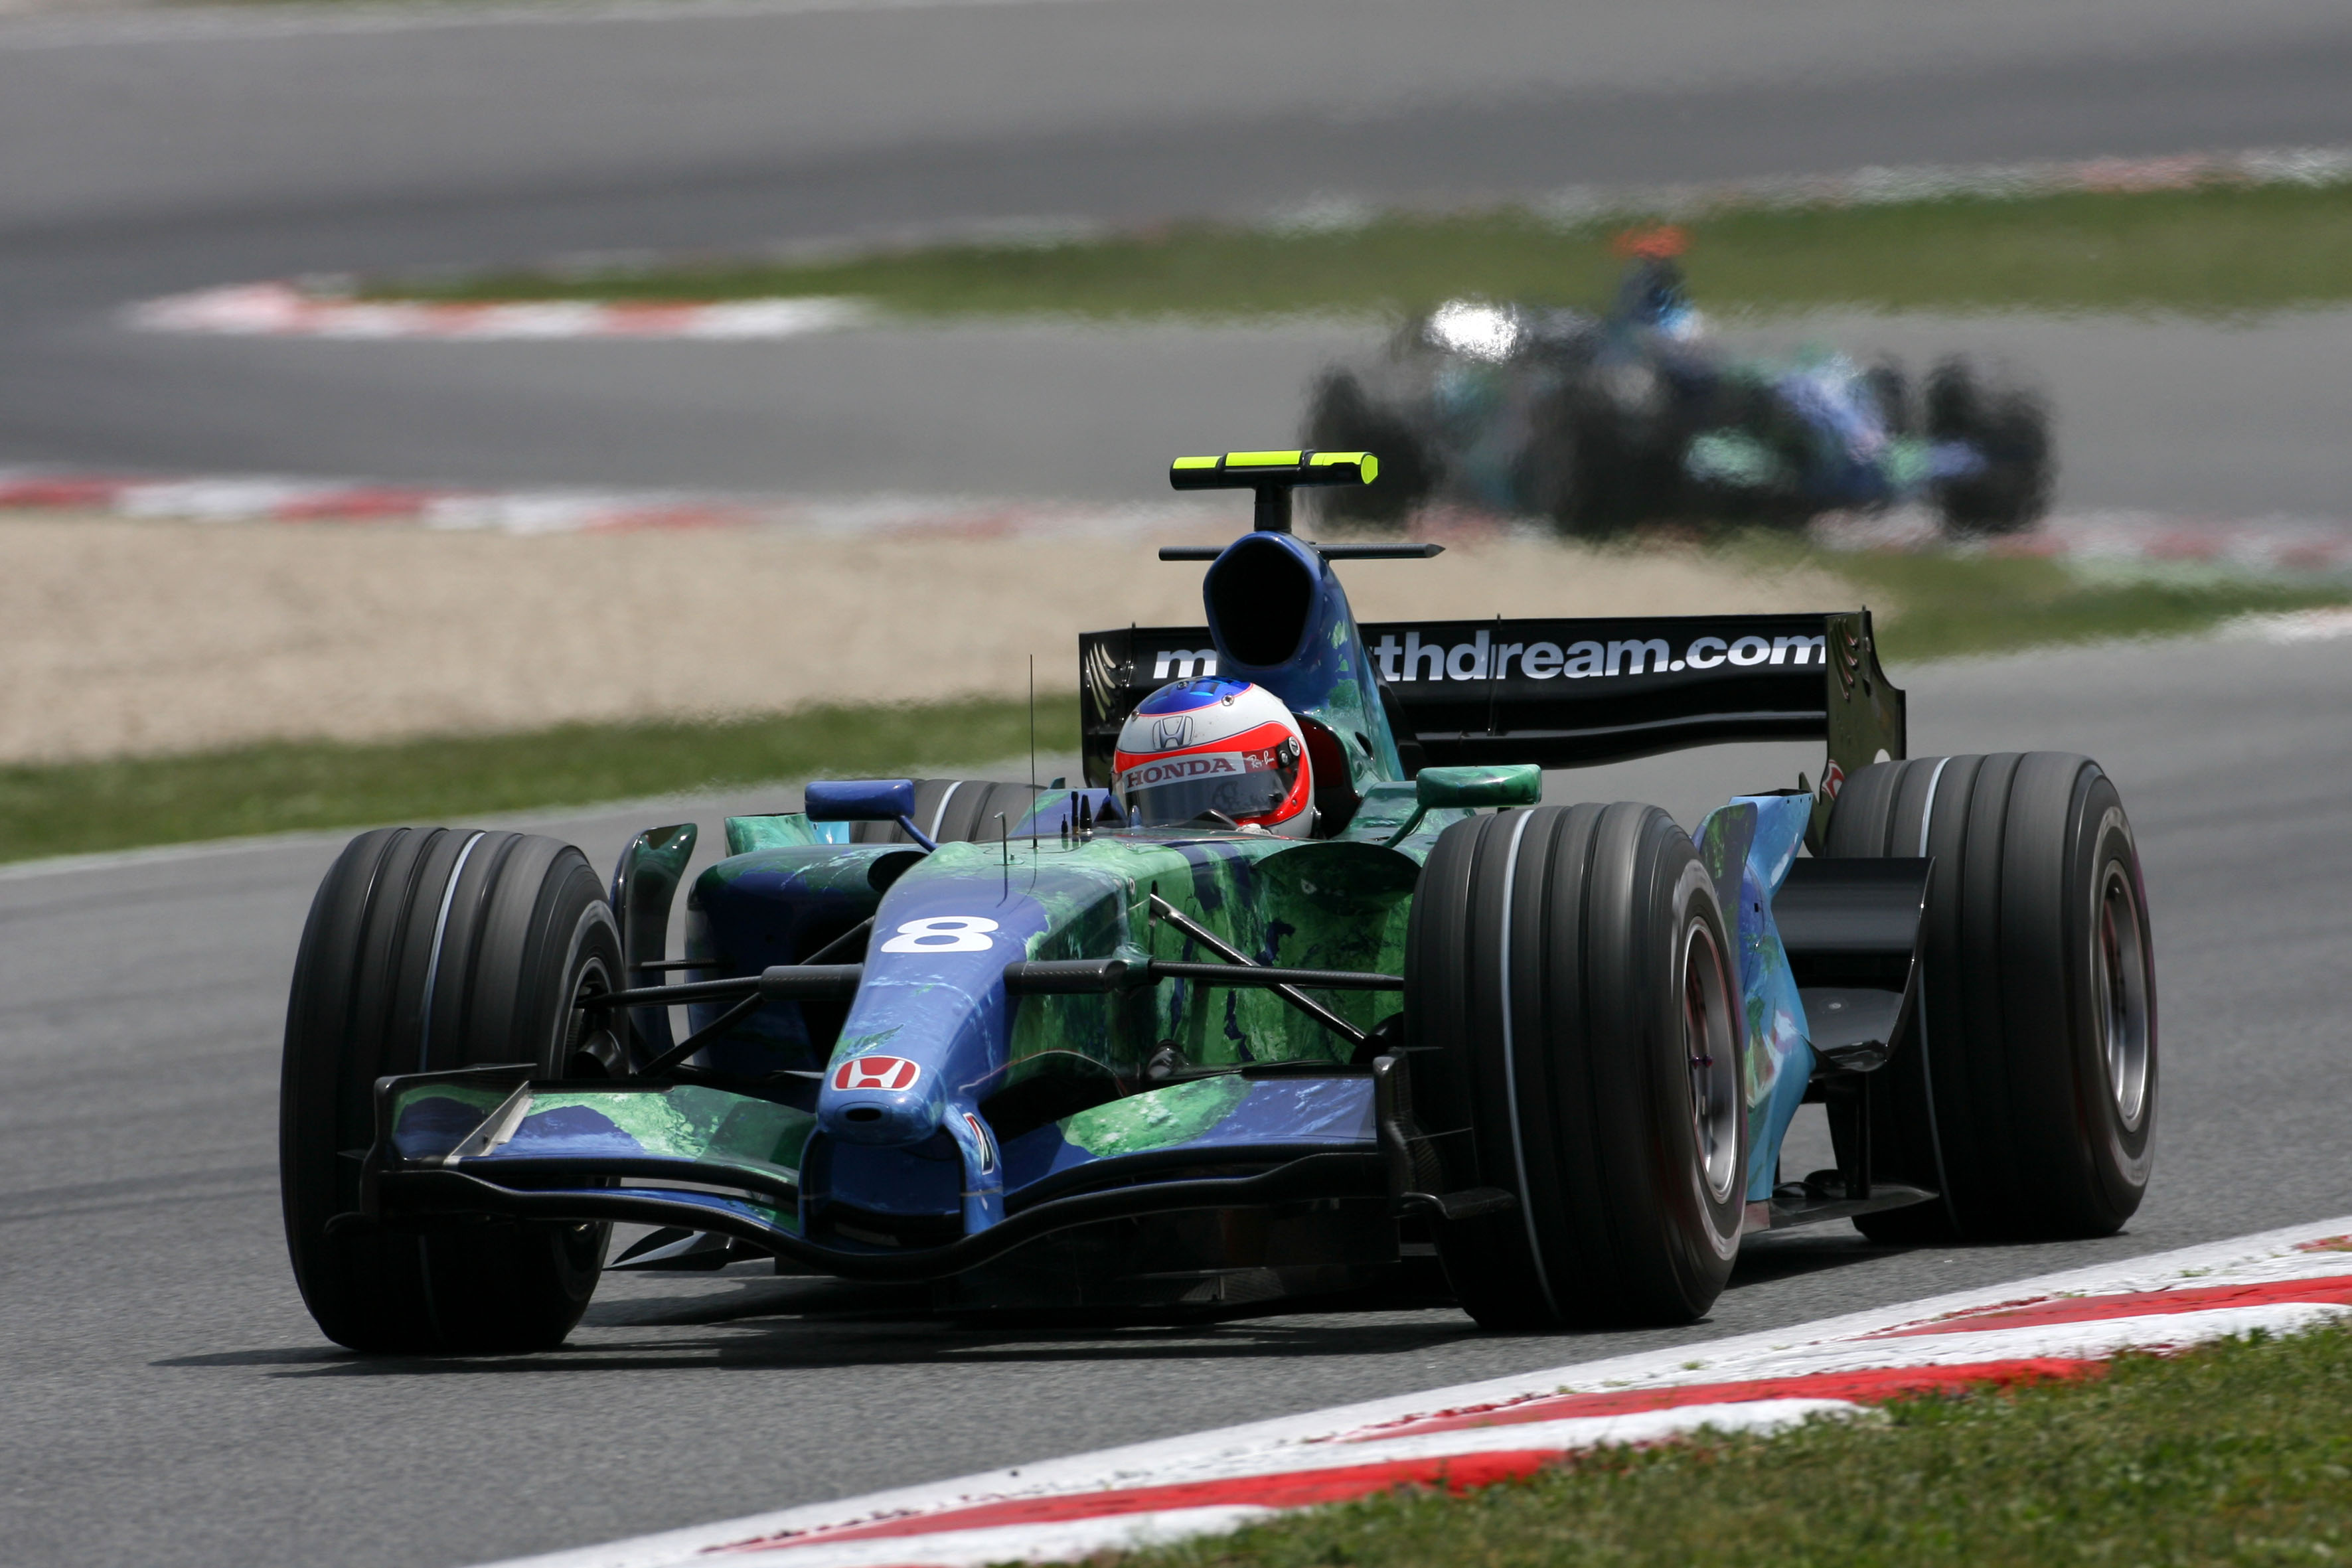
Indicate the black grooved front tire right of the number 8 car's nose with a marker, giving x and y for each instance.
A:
(1572, 984)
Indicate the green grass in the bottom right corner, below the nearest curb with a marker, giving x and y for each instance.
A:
(2236, 1454)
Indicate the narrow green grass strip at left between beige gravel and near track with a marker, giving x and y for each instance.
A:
(272, 789)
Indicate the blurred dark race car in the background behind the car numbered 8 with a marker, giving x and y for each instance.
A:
(1603, 422)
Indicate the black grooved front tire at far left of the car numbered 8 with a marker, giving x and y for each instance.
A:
(436, 949)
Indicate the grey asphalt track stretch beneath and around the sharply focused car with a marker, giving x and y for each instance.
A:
(171, 1402)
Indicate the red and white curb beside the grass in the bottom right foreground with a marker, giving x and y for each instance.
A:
(1474, 1435)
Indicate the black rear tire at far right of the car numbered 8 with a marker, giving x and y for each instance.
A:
(2026, 1092)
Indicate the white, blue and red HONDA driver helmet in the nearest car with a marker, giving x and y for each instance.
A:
(1215, 749)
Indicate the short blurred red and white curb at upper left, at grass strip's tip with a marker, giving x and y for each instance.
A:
(288, 311)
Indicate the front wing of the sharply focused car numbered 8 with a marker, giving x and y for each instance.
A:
(495, 1141)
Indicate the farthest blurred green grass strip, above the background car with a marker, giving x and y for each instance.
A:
(2212, 250)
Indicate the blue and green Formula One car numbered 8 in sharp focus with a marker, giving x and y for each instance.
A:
(1299, 993)
